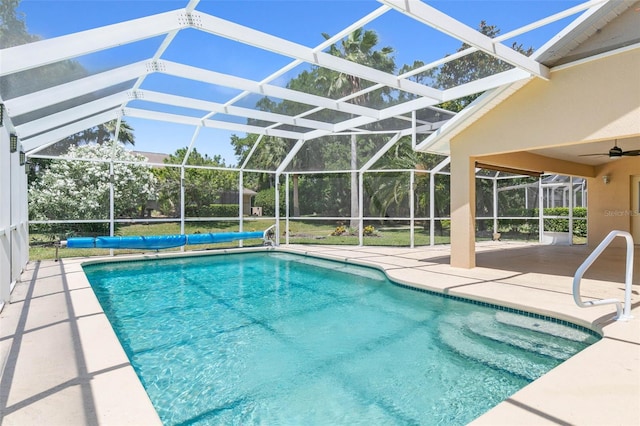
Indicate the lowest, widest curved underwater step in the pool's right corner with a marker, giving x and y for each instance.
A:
(456, 335)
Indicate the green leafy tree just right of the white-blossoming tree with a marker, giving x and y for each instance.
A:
(203, 187)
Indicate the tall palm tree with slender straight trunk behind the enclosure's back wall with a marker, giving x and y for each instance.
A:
(357, 47)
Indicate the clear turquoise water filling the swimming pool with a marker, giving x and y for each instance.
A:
(275, 338)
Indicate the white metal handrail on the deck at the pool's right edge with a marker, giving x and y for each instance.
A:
(621, 314)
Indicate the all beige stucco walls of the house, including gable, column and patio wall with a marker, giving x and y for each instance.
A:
(589, 102)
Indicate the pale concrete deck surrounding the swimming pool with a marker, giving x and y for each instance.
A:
(62, 363)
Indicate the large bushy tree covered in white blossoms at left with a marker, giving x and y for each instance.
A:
(75, 189)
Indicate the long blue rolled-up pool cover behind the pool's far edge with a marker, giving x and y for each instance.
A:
(155, 242)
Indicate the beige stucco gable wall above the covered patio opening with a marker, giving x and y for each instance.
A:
(595, 101)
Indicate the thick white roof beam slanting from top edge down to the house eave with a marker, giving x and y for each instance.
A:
(432, 17)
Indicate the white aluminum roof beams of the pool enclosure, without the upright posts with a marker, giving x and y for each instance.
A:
(47, 130)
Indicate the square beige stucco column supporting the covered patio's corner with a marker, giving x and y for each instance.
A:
(463, 212)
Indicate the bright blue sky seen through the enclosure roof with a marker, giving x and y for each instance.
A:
(301, 21)
